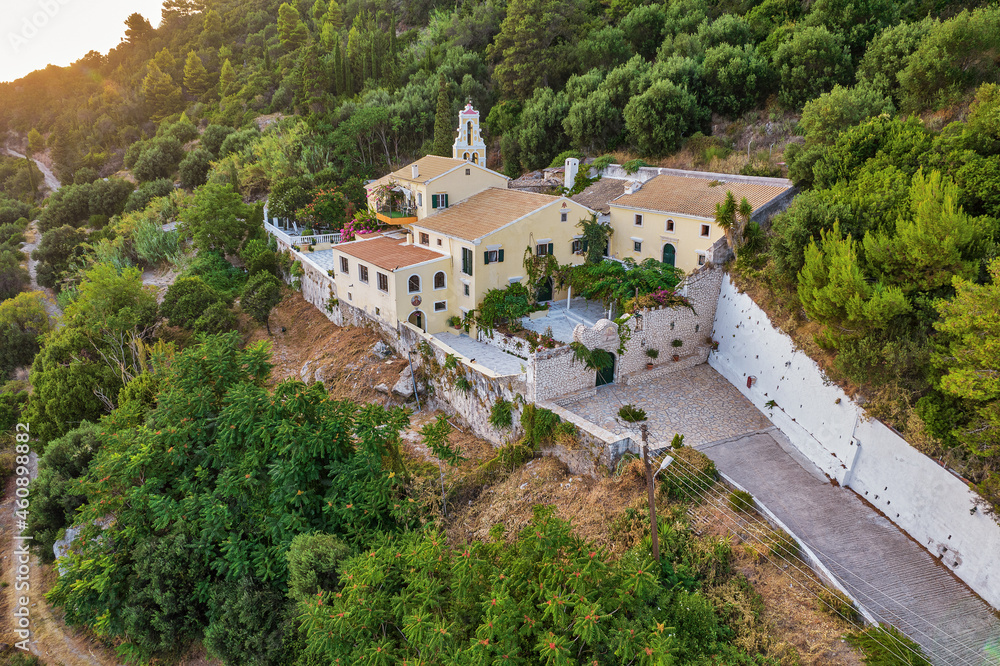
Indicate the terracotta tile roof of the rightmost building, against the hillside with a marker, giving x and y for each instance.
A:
(695, 196)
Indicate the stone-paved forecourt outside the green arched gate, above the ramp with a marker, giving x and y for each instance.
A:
(698, 403)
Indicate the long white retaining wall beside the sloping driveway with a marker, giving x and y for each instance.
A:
(923, 498)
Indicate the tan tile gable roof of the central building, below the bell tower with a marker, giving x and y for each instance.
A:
(485, 212)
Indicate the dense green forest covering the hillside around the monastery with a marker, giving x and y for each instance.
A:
(277, 525)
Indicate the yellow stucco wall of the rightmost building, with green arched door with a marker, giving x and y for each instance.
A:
(686, 236)
